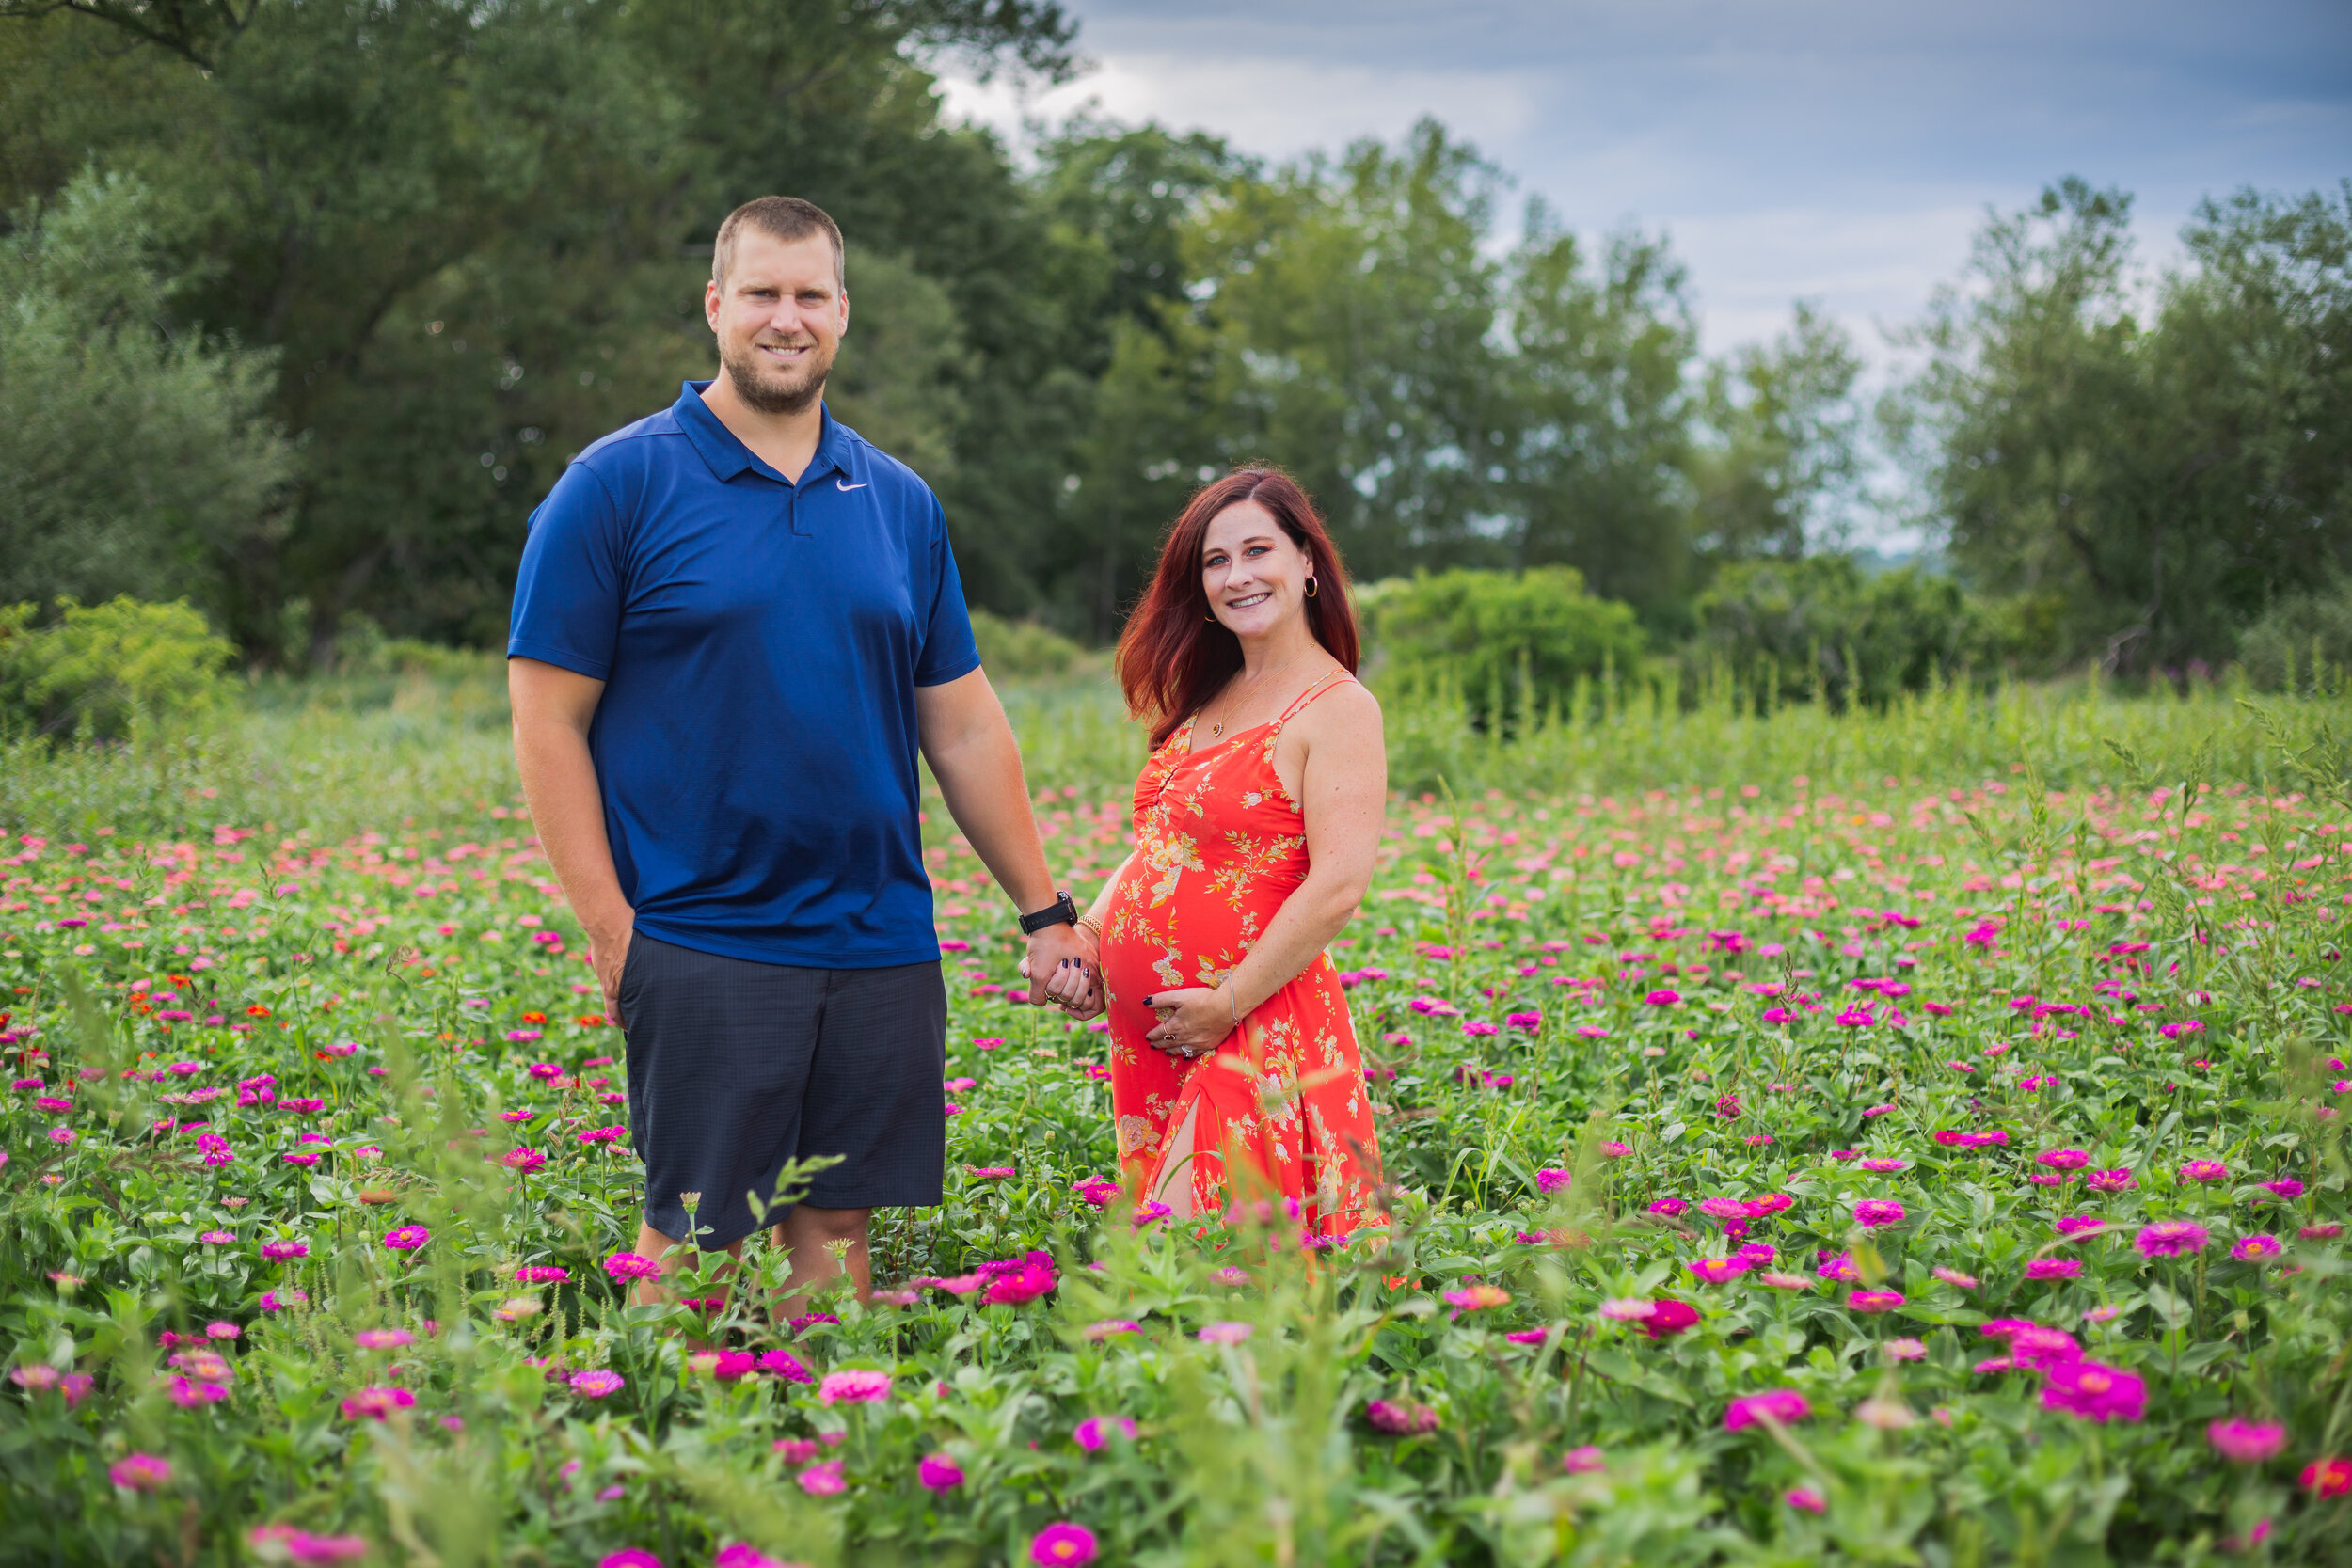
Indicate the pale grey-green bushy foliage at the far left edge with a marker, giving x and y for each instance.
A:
(133, 457)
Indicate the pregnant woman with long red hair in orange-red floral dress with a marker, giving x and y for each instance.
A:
(1257, 822)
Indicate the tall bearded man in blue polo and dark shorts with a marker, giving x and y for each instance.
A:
(733, 629)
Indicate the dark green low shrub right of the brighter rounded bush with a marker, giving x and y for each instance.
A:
(1822, 629)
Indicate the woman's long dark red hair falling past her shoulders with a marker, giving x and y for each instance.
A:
(1172, 655)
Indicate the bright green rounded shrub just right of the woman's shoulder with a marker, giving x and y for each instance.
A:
(1511, 643)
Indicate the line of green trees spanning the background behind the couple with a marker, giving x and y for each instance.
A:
(305, 307)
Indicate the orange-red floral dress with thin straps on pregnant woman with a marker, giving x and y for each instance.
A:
(1220, 845)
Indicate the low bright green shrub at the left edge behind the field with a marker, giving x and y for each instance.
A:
(105, 671)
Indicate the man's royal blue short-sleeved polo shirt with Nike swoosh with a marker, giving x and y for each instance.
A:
(761, 645)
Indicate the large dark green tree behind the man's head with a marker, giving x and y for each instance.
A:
(476, 236)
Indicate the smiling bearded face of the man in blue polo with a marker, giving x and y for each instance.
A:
(780, 321)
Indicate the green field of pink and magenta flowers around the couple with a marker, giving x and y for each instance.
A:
(1902, 1170)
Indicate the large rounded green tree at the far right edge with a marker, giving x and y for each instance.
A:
(2146, 488)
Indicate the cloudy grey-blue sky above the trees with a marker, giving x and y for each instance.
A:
(1822, 149)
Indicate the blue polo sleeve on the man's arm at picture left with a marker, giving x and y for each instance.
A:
(568, 596)
